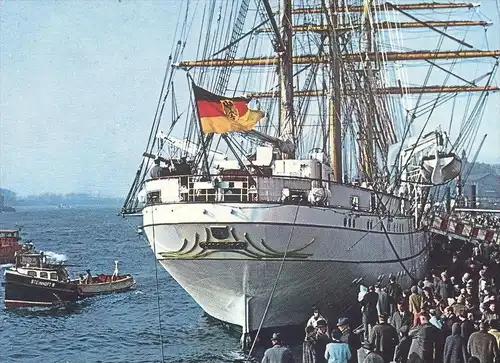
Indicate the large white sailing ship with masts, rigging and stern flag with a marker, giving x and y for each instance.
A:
(306, 165)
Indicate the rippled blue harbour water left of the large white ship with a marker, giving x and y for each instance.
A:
(113, 328)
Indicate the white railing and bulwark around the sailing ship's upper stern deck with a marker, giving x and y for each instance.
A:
(262, 188)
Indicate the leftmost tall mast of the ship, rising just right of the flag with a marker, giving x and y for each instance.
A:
(287, 119)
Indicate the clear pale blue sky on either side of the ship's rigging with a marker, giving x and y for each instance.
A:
(79, 83)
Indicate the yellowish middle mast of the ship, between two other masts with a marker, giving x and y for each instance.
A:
(334, 97)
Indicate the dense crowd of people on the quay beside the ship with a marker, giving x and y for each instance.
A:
(451, 316)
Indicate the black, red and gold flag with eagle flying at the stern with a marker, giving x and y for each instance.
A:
(220, 115)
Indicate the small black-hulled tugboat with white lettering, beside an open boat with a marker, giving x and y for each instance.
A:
(34, 281)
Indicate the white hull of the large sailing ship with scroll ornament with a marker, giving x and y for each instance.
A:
(232, 277)
